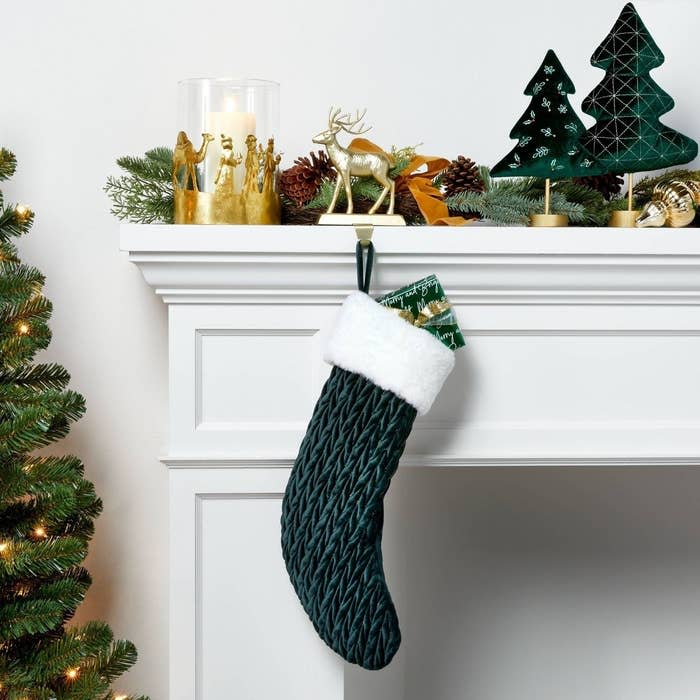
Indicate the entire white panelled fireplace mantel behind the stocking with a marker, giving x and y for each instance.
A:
(583, 349)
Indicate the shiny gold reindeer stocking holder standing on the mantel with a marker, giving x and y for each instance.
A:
(350, 163)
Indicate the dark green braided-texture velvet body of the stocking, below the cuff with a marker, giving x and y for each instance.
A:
(332, 516)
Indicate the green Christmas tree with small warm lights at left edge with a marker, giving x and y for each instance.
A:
(47, 508)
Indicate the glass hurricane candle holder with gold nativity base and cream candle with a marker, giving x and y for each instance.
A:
(225, 166)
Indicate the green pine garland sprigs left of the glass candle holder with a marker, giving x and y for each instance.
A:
(145, 195)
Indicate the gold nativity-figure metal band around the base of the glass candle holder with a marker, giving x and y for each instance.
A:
(258, 200)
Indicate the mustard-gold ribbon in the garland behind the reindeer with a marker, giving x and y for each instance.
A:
(420, 184)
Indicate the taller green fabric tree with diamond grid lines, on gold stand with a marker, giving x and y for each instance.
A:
(628, 136)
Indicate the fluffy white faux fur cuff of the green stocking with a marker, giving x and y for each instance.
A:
(373, 341)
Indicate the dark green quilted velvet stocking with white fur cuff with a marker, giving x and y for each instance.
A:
(385, 372)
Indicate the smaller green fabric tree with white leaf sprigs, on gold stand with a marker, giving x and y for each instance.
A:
(548, 136)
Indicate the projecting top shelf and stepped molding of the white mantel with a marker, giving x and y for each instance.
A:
(478, 264)
